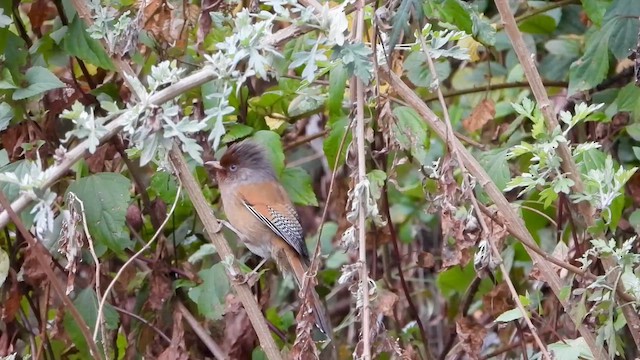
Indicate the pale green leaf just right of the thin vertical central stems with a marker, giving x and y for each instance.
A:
(411, 132)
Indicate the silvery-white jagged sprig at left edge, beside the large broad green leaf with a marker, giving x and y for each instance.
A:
(32, 184)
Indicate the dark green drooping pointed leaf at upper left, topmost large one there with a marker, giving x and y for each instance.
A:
(78, 43)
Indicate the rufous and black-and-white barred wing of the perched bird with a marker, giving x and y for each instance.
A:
(270, 203)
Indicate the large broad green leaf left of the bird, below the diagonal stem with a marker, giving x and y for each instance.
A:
(106, 199)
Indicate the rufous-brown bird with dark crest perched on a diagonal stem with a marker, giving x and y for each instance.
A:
(259, 209)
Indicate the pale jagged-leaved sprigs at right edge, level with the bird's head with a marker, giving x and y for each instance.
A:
(602, 185)
